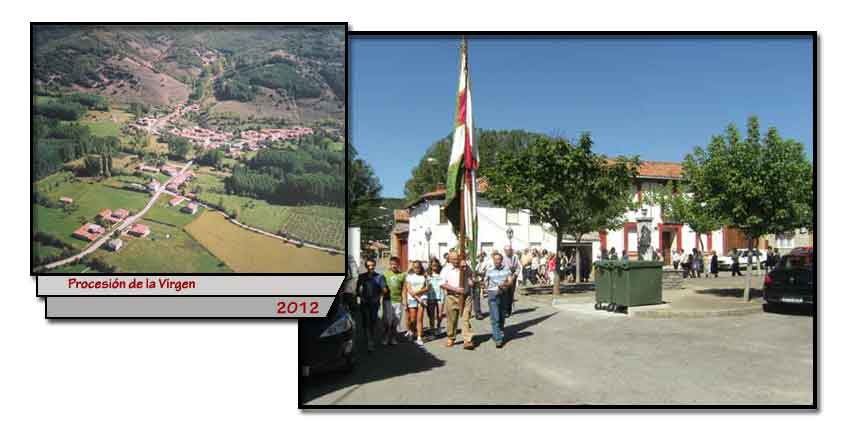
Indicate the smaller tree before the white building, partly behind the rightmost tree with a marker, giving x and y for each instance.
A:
(679, 206)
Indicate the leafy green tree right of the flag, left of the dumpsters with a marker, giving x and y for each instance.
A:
(567, 186)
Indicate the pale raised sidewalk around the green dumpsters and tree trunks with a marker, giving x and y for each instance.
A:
(700, 298)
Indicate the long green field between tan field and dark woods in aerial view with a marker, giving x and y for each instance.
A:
(318, 224)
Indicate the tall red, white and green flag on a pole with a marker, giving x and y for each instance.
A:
(463, 166)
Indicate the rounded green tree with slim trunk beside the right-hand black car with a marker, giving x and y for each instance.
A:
(760, 186)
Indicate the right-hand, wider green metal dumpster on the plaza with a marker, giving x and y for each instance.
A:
(638, 283)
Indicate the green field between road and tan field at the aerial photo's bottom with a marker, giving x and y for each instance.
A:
(166, 249)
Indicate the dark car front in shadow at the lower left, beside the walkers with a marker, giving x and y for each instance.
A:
(327, 344)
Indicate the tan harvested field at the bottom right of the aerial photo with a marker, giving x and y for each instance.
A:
(246, 251)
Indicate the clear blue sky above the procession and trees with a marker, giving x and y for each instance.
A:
(657, 98)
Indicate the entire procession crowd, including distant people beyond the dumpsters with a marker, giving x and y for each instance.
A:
(416, 304)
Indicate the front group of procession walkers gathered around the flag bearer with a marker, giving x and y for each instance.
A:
(437, 294)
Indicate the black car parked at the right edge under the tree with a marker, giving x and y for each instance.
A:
(792, 282)
